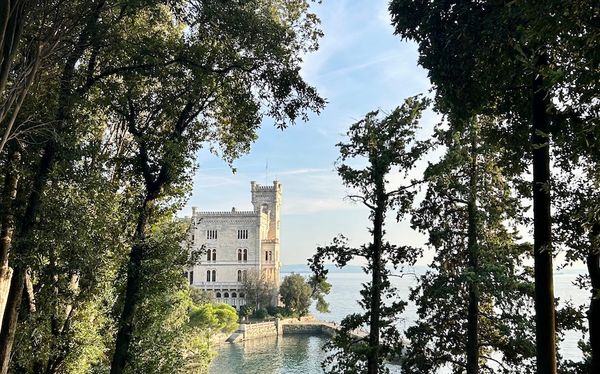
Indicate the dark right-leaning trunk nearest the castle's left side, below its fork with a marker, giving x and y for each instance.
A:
(132, 290)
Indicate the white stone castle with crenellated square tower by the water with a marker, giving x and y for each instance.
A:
(237, 243)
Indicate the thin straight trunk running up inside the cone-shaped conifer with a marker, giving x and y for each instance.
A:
(473, 263)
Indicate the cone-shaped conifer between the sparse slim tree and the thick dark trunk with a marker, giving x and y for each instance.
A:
(473, 304)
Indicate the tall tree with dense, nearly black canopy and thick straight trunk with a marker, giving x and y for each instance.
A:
(513, 60)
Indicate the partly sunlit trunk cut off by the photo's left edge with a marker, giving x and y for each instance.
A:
(9, 194)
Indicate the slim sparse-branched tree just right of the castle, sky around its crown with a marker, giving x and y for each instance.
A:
(385, 145)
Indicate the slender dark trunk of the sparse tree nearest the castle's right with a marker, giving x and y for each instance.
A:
(374, 332)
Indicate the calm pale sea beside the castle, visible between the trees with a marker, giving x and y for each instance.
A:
(303, 354)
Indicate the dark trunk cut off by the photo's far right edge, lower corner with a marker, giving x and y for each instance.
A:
(593, 264)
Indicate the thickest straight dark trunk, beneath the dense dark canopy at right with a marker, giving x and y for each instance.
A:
(542, 226)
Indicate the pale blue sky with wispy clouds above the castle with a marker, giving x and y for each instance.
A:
(360, 66)
